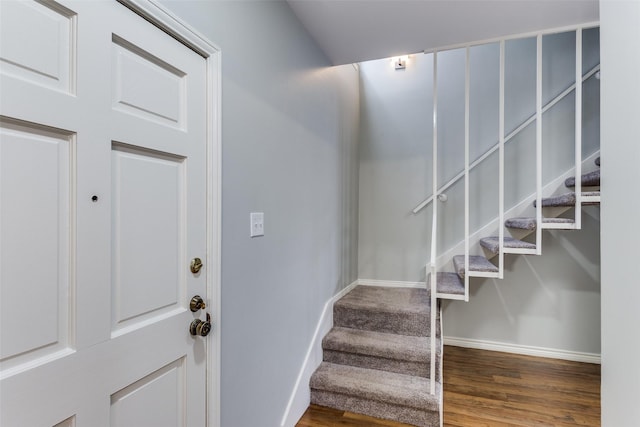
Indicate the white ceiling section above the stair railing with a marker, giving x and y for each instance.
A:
(351, 31)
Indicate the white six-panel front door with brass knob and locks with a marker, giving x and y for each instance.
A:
(103, 206)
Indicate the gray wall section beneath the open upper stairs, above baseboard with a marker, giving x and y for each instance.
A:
(550, 301)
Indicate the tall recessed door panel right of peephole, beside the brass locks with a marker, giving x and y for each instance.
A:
(148, 235)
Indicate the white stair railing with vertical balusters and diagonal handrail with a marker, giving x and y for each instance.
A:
(431, 269)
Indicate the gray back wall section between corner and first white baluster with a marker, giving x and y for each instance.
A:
(394, 173)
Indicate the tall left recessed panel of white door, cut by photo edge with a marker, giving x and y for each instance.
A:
(35, 250)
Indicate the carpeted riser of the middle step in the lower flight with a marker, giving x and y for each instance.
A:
(419, 369)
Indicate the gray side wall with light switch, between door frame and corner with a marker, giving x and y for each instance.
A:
(289, 149)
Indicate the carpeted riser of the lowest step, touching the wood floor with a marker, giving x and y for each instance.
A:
(421, 418)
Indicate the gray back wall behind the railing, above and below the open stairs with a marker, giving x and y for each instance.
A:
(550, 301)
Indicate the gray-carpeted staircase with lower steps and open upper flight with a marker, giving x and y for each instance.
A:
(376, 358)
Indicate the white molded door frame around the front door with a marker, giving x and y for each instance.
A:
(169, 22)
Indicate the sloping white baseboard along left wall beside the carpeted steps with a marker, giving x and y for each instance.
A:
(301, 394)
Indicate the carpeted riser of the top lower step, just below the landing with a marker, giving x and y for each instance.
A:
(416, 325)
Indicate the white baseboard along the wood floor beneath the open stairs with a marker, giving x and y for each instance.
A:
(526, 350)
